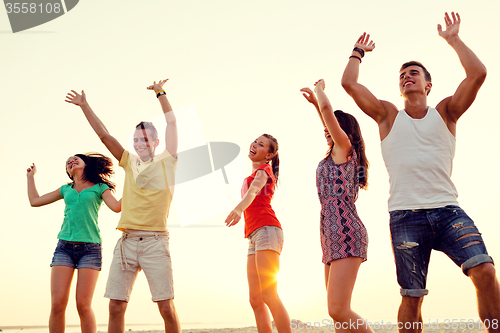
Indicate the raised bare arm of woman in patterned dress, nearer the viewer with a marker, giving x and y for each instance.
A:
(339, 137)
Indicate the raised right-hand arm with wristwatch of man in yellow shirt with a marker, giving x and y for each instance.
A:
(171, 138)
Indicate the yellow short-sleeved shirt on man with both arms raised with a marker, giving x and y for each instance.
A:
(147, 191)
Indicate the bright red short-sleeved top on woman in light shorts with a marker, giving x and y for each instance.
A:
(260, 213)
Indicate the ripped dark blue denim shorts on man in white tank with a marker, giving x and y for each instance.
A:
(415, 233)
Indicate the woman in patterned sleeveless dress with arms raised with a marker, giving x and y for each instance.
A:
(339, 176)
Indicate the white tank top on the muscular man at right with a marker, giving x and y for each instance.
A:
(418, 154)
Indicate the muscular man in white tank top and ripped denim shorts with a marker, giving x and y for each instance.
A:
(418, 146)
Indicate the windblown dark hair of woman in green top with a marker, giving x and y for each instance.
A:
(98, 169)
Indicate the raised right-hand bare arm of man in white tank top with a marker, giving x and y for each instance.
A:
(475, 72)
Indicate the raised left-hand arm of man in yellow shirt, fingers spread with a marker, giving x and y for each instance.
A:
(114, 147)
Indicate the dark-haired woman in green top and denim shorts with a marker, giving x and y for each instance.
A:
(79, 245)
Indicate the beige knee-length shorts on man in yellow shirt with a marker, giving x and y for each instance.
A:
(136, 251)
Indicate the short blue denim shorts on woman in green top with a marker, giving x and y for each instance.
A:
(78, 255)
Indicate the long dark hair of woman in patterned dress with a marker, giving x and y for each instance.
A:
(350, 126)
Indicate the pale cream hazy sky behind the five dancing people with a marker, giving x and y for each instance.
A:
(237, 66)
